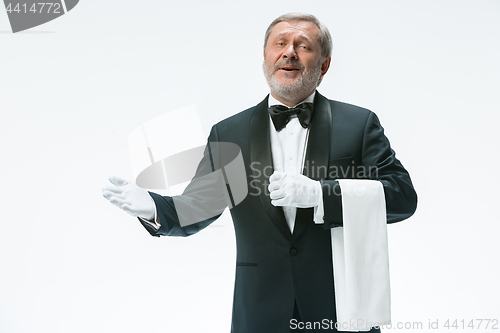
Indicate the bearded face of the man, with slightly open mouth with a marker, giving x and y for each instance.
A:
(292, 59)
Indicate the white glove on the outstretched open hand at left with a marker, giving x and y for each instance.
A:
(131, 198)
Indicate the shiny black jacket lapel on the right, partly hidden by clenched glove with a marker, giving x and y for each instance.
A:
(317, 155)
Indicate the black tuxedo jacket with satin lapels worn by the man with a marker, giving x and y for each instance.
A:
(274, 268)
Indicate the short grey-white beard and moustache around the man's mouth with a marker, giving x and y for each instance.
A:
(307, 81)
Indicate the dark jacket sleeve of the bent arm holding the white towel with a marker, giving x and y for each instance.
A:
(379, 162)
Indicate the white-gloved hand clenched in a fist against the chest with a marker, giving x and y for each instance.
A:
(287, 189)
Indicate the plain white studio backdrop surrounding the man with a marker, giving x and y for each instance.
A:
(73, 89)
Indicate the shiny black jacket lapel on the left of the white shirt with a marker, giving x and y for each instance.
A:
(261, 163)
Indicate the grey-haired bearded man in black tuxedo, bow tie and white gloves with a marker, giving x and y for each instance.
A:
(284, 256)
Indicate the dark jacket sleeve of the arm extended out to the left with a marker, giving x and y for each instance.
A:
(201, 203)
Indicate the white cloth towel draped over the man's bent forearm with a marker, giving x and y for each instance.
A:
(361, 257)
